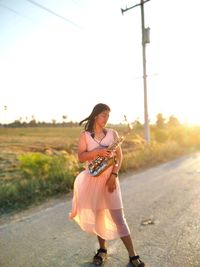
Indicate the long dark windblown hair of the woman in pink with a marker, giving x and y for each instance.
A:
(90, 119)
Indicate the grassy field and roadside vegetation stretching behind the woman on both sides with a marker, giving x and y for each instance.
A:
(37, 163)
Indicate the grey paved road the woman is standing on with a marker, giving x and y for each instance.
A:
(162, 207)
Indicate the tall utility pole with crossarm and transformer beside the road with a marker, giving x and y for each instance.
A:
(145, 40)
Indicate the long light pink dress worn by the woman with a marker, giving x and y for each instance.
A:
(94, 208)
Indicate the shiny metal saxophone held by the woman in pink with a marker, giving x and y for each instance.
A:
(100, 164)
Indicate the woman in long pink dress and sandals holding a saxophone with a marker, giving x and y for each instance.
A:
(97, 203)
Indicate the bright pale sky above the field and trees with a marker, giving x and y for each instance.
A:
(62, 57)
